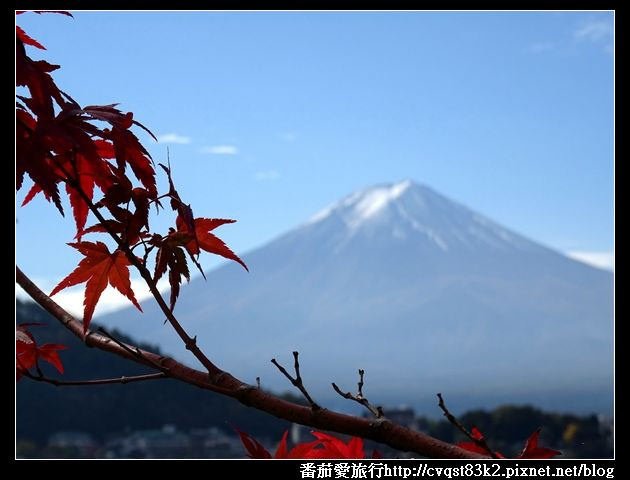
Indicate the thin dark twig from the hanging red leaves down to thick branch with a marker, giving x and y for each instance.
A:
(189, 342)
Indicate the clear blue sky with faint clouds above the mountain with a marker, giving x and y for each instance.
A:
(270, 116)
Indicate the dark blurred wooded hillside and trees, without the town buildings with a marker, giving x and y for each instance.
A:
(116, 408)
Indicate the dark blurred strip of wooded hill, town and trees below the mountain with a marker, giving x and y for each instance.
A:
(179, 420)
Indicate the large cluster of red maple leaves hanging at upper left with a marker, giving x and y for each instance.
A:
(89, 149)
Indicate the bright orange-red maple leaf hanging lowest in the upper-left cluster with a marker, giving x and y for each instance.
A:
(98, 268)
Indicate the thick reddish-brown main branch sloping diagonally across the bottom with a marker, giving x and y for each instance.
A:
(380, 430)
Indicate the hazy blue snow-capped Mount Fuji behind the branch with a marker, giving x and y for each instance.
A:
(423, 293)
